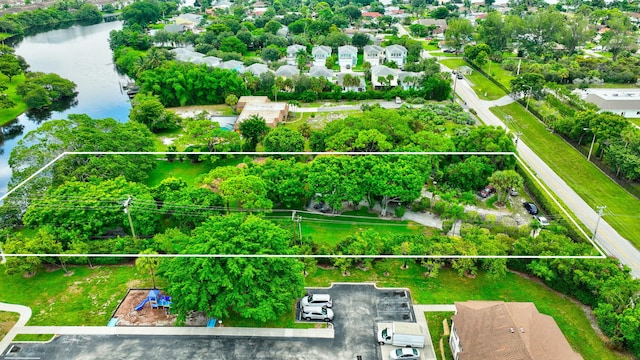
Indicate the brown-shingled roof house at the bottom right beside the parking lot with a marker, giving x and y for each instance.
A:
(505, 331)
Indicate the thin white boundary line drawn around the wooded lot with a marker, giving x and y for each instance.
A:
(484, 153)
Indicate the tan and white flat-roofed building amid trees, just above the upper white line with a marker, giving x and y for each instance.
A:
(271, 112)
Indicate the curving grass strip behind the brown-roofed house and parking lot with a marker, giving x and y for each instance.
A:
(449, 287)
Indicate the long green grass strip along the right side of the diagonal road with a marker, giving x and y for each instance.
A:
(574, 168)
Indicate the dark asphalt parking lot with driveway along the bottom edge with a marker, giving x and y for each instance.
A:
(357, 307)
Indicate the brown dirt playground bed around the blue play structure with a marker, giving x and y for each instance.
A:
(147, 316)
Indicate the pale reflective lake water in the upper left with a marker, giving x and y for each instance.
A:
(82, 55)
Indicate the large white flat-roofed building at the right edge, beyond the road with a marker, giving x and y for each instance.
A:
(625, 102)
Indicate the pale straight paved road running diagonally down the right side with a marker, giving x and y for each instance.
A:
(609, 239)
